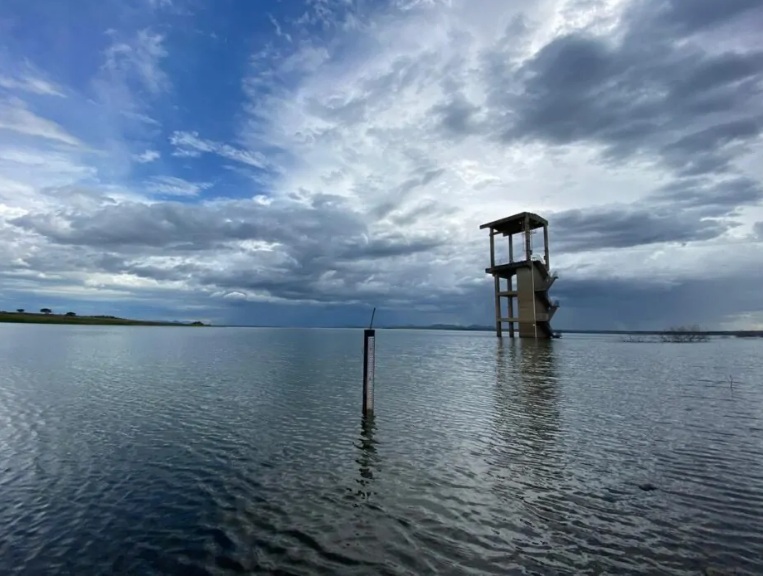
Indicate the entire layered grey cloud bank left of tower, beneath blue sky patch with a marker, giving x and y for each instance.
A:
(323, 251)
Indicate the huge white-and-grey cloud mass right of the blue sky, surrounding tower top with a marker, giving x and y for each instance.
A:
(625, 124)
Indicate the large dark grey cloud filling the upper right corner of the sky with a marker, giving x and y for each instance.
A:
(658, 91)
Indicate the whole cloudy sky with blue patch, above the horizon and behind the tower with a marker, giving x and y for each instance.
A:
(300, 162)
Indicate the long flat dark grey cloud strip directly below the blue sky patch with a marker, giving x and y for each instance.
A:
(326, 227)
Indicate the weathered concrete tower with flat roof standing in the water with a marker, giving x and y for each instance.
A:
(522, 283)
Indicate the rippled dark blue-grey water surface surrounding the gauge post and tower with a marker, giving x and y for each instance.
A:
(165, 450)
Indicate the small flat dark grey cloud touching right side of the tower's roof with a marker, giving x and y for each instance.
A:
(621, 227)
